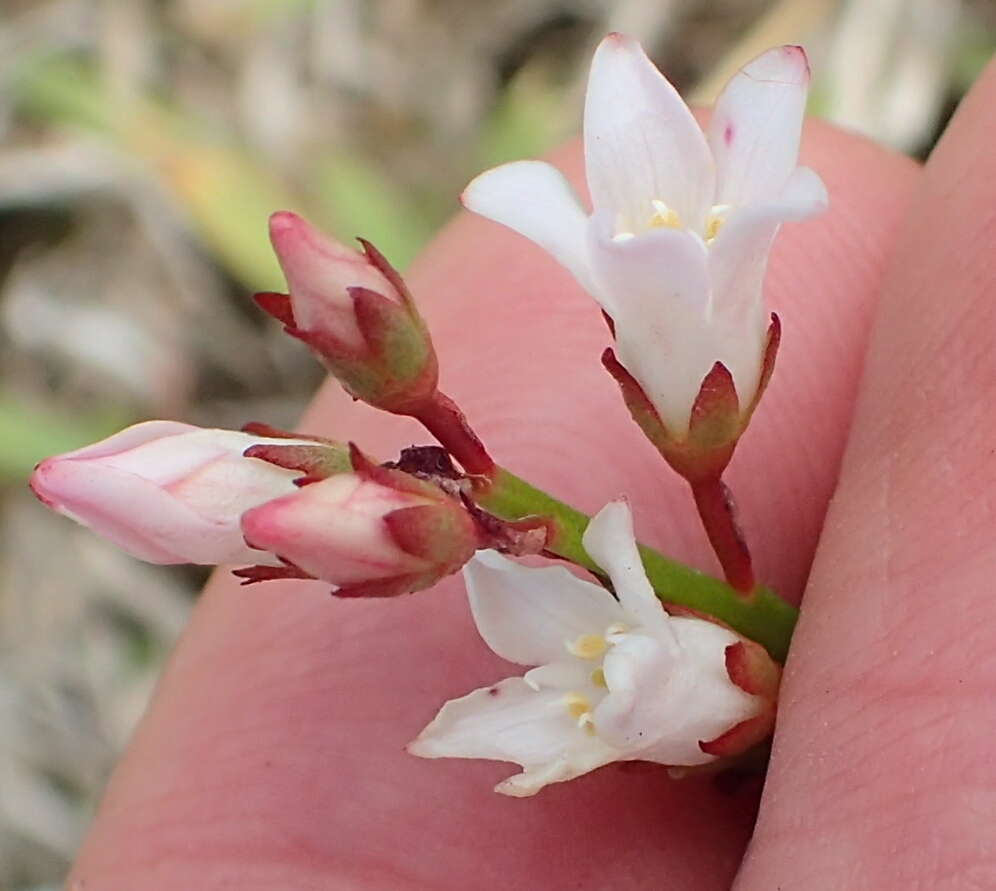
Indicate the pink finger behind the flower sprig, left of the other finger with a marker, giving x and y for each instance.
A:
(350, 796)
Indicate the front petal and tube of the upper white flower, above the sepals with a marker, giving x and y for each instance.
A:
(656, 289)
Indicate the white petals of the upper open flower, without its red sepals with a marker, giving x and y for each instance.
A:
(676, 247)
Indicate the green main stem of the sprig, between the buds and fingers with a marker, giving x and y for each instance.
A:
(763, 616)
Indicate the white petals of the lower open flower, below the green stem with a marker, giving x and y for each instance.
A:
(617, 680)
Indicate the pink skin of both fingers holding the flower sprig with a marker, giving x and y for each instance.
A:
(273, 754)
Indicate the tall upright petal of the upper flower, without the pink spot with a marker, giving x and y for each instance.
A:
(641, 141)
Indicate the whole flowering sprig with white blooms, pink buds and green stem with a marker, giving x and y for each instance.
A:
(648, 660)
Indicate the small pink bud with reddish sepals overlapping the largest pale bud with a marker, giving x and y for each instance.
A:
(375, 533)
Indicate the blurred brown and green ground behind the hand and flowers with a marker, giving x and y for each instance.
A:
(143, 144)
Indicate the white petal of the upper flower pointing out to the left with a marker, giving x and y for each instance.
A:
(535, 200)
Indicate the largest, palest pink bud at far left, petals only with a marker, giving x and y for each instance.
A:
(166, 492)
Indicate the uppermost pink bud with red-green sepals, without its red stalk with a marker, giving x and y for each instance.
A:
(356, 314)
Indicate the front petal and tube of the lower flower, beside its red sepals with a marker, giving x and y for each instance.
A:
(665, 698)
